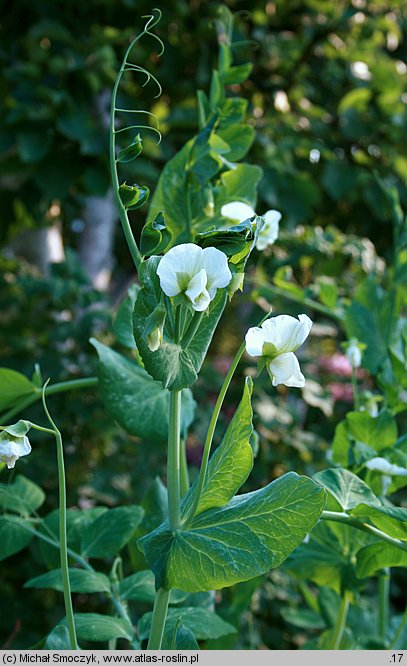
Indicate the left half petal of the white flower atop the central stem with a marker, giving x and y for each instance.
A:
(177, 266)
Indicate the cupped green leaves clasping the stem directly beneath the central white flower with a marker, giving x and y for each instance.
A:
(174, 366)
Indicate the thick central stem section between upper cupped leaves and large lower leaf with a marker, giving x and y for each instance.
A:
(173, 466)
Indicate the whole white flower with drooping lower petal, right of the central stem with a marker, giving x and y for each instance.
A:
(276, 341)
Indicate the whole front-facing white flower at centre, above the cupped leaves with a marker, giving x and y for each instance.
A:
(188, 269)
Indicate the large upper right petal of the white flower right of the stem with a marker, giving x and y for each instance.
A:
(287, 333)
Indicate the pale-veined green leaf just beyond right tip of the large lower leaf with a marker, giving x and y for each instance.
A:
(347, 488)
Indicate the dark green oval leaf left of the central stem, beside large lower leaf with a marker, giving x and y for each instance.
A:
(110, 532)
